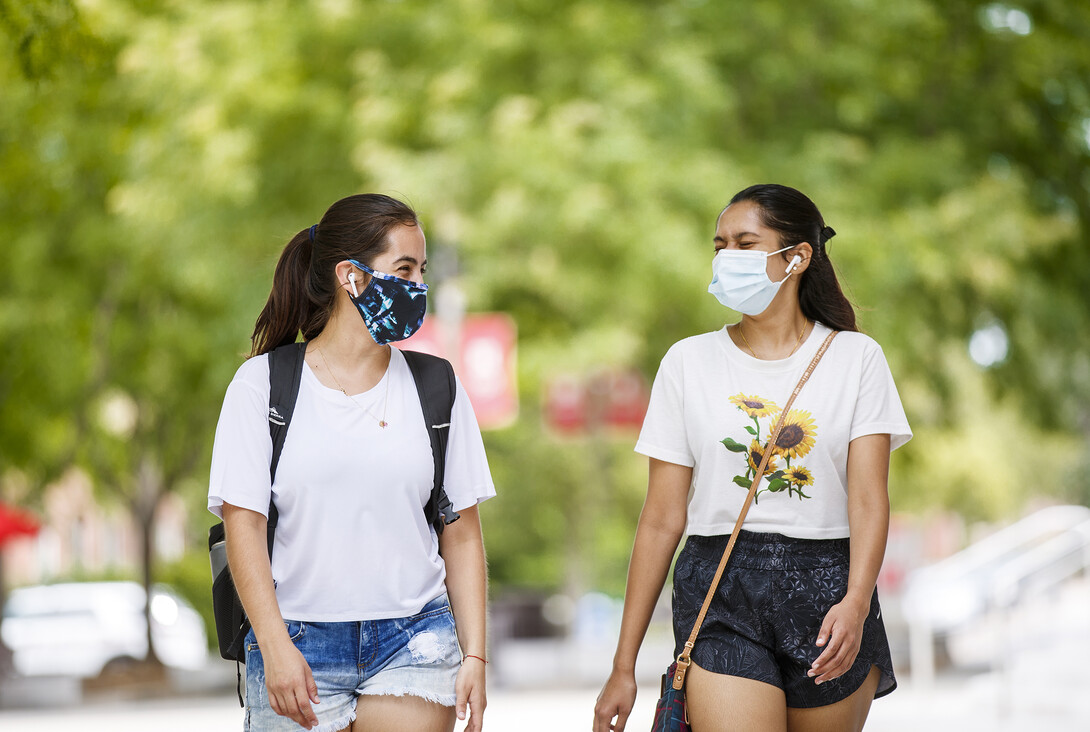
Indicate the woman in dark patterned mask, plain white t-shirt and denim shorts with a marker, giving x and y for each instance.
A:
(368, 617)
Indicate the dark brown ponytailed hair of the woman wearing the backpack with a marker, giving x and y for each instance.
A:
(305, 285)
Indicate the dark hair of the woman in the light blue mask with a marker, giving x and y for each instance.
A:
(797, 219)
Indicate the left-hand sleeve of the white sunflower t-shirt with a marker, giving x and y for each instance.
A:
(663, 435)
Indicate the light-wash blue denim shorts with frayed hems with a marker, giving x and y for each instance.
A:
(418, 656)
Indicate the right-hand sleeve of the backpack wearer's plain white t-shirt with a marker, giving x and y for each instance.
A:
(467, 478)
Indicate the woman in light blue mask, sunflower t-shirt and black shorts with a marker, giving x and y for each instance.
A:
(793, 640)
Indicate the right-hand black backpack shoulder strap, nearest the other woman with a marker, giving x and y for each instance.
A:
(435, 385)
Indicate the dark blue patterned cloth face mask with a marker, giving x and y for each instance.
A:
(392, 308)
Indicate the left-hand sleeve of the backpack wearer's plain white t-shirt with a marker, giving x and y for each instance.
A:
(243, 449)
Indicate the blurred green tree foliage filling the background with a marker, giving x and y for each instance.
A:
(572, 156)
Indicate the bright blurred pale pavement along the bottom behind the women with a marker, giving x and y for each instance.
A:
(1041, 686)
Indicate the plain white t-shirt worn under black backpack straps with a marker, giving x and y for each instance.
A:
(353, 543)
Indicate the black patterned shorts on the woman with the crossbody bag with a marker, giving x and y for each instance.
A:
(765, 619)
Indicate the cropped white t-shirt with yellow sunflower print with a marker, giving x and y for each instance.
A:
(710, 397)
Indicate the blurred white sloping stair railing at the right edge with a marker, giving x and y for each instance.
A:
(996, 574)
